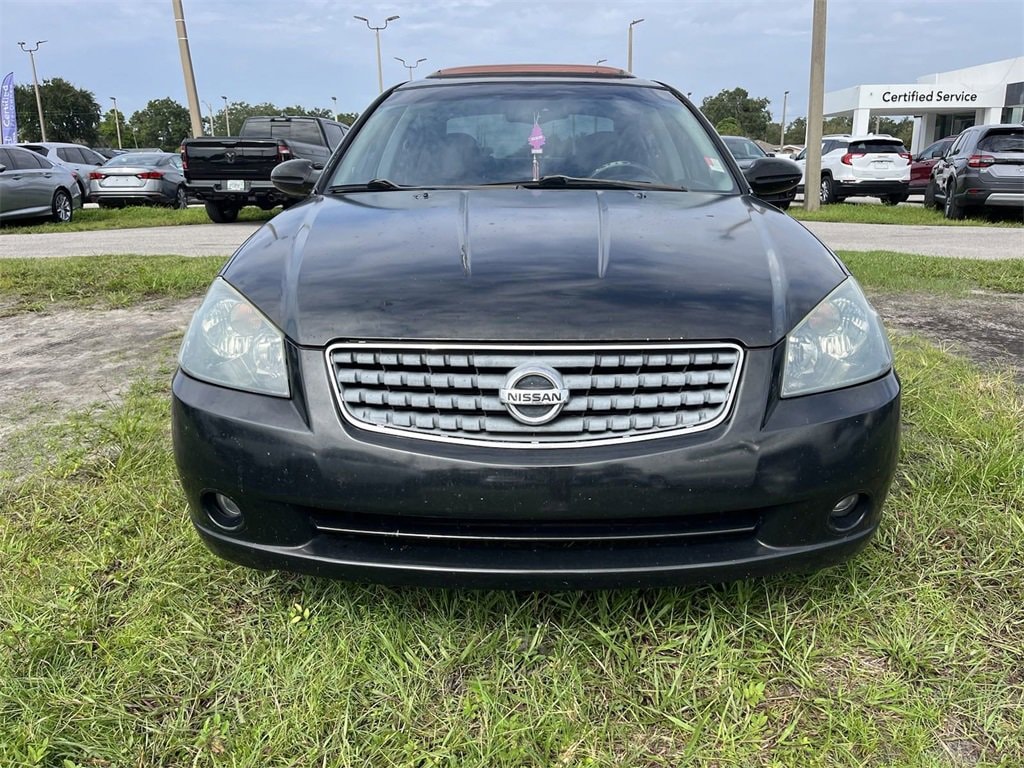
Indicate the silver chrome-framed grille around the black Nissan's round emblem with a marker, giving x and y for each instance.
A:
(615, 393)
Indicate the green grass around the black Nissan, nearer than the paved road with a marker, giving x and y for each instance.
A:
(123, 643)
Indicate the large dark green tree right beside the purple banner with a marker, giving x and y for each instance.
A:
(71, 114)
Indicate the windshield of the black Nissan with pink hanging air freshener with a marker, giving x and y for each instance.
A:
(471, 135)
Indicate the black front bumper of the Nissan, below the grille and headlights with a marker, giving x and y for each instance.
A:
(748, 498)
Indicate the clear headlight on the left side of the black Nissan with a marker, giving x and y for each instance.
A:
(230, 343)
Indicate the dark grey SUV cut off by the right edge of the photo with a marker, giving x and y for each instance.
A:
(983, 169)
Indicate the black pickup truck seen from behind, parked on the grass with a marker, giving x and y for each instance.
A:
(231, 173)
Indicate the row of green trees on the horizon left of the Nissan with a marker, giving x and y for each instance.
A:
(74, 115)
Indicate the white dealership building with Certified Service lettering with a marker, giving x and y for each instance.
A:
(943, 105)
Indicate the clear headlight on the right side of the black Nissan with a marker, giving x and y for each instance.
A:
(841, 343)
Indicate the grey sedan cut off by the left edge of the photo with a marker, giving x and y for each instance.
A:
(32, 187)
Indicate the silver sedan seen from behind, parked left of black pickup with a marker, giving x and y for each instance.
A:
(136, 179)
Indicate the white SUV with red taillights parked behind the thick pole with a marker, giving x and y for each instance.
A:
(877, 165)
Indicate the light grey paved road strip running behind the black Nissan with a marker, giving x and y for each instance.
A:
(222, 240)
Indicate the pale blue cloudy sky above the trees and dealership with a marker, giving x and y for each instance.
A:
(307, 52)
